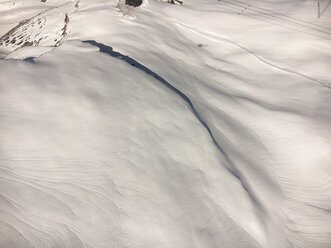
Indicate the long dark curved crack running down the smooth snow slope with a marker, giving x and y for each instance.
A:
(109, 50)
